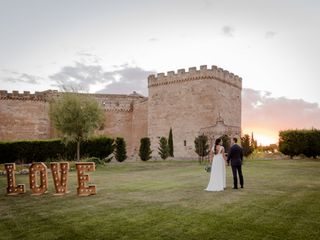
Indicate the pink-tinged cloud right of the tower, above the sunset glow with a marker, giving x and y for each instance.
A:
(262, 111)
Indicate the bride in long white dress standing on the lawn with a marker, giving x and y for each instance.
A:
(218, 168)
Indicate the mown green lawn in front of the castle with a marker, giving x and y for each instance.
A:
(166, 200)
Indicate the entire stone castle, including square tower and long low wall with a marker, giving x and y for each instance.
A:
(194, 102)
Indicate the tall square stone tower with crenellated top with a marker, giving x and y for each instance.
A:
(189, 102)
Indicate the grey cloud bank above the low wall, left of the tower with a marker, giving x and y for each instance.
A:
(87, 78)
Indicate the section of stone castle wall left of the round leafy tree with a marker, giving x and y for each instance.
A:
(24, 116)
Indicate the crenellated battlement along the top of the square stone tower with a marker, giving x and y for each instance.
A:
(182, 75)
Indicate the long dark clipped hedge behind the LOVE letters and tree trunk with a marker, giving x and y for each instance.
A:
(53, 150)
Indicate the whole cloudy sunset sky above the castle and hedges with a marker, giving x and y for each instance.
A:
(112, 46)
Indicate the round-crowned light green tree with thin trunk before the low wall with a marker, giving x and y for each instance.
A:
(75, 117)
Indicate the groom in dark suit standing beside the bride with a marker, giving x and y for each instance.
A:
(235, 155)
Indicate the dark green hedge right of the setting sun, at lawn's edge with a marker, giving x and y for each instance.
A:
(297, 142)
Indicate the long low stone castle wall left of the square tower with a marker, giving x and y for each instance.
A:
(25, 116)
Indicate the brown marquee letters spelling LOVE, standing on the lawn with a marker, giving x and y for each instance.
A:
(38, 178)
